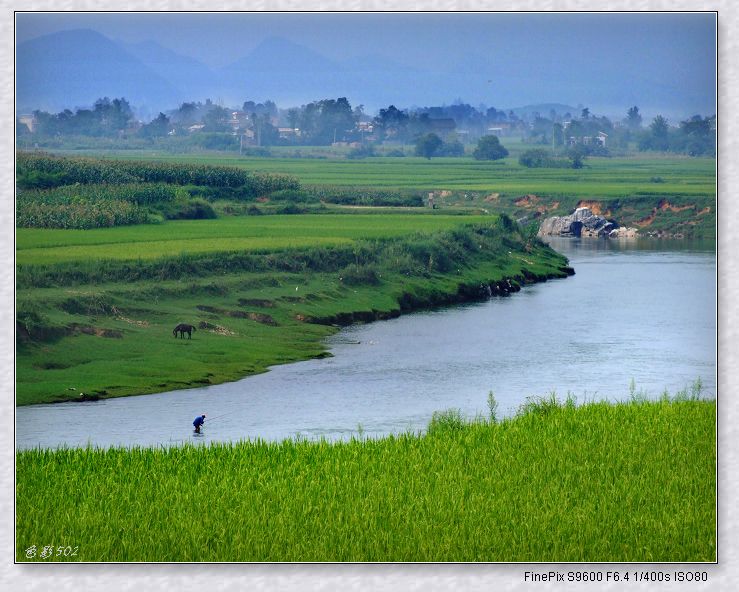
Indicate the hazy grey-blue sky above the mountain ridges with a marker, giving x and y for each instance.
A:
(412, 38)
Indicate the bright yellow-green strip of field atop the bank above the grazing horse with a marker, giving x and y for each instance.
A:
(254, 233)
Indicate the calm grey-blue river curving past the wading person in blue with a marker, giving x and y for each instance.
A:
(634, 310)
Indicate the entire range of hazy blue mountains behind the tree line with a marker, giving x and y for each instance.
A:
(71, 69)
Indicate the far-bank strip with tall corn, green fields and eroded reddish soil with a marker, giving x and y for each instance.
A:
(660, 196)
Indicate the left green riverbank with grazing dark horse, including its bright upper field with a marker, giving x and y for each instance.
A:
(96, 308)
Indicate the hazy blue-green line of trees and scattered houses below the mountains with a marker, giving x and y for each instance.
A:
(328, 121)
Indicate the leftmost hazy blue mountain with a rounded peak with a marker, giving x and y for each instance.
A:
(72, 69)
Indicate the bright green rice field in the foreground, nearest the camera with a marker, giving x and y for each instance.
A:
(598, 482)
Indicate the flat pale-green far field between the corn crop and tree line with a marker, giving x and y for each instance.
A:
(601, 178)
